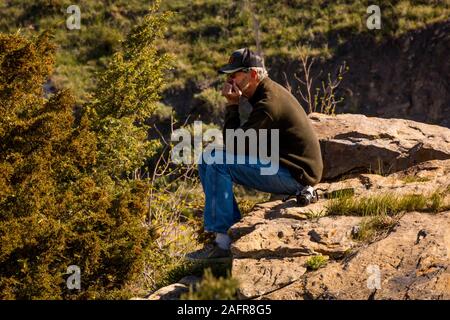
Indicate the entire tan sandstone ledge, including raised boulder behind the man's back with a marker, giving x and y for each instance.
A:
(275, 245)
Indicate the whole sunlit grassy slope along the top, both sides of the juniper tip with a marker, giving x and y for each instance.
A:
(203, 32)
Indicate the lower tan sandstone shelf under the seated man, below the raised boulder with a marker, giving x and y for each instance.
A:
(272, 244)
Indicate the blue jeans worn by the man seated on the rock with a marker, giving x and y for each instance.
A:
(221, 210)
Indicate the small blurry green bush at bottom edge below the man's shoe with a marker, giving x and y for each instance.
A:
(213, 288)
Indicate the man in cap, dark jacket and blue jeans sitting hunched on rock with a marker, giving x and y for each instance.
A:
(273, 108)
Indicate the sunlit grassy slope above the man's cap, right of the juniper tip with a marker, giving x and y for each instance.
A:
(204, 31)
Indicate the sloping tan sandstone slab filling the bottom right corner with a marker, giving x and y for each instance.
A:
(413, 262)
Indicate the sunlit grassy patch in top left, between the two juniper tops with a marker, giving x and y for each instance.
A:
(81, 52)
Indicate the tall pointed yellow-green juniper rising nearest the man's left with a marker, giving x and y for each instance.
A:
(127, 94)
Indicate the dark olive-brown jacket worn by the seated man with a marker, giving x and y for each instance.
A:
(274, 107)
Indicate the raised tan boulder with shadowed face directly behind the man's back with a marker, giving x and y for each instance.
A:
(356, 143)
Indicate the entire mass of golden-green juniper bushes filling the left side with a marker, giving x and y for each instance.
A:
(63, 199)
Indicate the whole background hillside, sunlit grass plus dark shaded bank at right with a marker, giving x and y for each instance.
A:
(390, 69)
